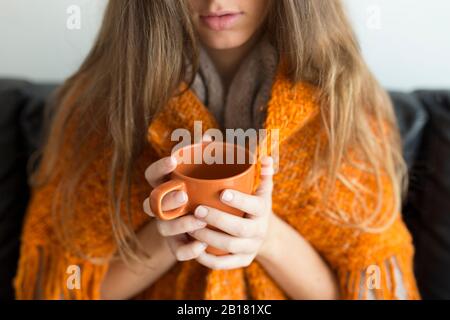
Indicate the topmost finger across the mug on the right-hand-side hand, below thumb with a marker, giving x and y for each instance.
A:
(244, 202)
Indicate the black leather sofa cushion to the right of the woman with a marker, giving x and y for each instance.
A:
(429, 199)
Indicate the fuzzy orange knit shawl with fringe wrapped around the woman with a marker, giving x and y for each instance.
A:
(292, 109)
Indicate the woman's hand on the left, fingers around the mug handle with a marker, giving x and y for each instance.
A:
(174, 231)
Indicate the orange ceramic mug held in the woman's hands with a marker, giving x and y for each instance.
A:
(204, 170)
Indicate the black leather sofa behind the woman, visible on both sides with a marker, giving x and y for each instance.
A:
(424, 119)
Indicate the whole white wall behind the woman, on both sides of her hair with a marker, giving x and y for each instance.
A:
(406, 42)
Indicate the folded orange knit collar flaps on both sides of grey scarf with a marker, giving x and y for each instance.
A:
(290, 108)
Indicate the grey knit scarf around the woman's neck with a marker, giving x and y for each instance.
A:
(244, 105)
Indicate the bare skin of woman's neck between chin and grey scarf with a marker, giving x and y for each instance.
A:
(227, 61)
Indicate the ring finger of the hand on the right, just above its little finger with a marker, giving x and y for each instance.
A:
(225, 242)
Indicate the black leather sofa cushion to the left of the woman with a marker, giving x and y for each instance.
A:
(21, 110)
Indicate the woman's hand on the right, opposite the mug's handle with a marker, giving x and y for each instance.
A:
(244, 238)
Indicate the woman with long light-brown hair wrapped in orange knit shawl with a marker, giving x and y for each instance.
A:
(326, 226)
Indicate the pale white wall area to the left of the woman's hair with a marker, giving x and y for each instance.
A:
(35, 42)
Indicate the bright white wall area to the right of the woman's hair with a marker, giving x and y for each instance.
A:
(411, 48)
